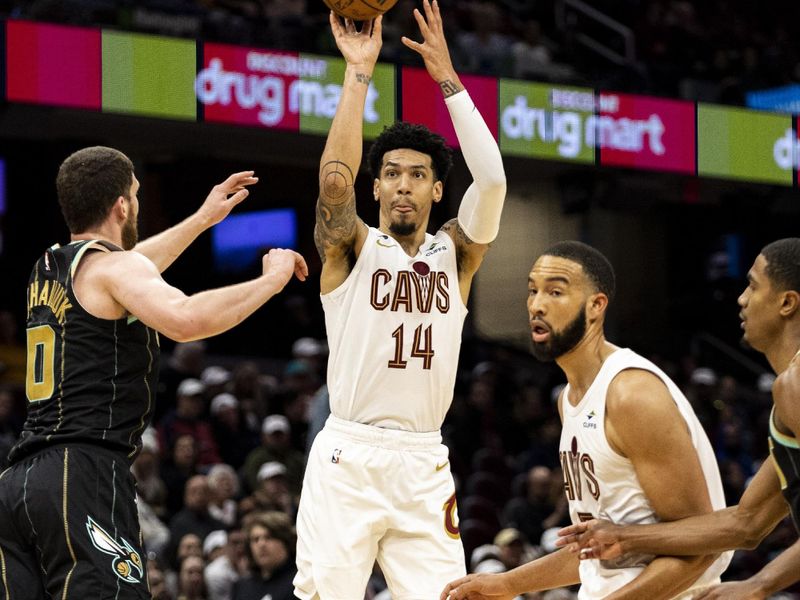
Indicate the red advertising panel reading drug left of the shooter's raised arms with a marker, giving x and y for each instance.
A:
(247, 86)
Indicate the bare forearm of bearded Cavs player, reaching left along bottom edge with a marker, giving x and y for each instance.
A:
(559, 569)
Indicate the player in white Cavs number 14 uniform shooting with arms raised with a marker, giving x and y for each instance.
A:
(378, 485)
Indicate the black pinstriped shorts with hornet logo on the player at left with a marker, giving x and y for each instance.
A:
(69, 525)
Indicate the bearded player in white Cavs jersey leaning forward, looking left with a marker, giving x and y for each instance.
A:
(632, 449)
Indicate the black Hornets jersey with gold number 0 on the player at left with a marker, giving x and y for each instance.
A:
(89, 380)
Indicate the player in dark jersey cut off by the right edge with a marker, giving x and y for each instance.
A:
(770, 313)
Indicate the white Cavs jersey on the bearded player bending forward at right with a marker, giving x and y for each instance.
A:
(600, 483)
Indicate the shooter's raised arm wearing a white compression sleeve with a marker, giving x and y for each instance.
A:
(479, 213)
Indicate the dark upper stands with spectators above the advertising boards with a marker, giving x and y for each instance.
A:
(712, 51)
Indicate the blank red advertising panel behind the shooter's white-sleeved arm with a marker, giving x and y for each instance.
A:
(423, 102)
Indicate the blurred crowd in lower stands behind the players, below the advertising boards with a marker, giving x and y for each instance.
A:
(220, 471)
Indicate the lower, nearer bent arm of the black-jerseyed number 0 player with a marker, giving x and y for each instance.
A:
(136, 285)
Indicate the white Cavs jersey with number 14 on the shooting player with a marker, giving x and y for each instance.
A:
(394, 330)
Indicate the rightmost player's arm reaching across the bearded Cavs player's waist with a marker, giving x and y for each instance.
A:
(740, 526)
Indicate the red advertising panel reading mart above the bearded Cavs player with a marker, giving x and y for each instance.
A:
(645, 133)
